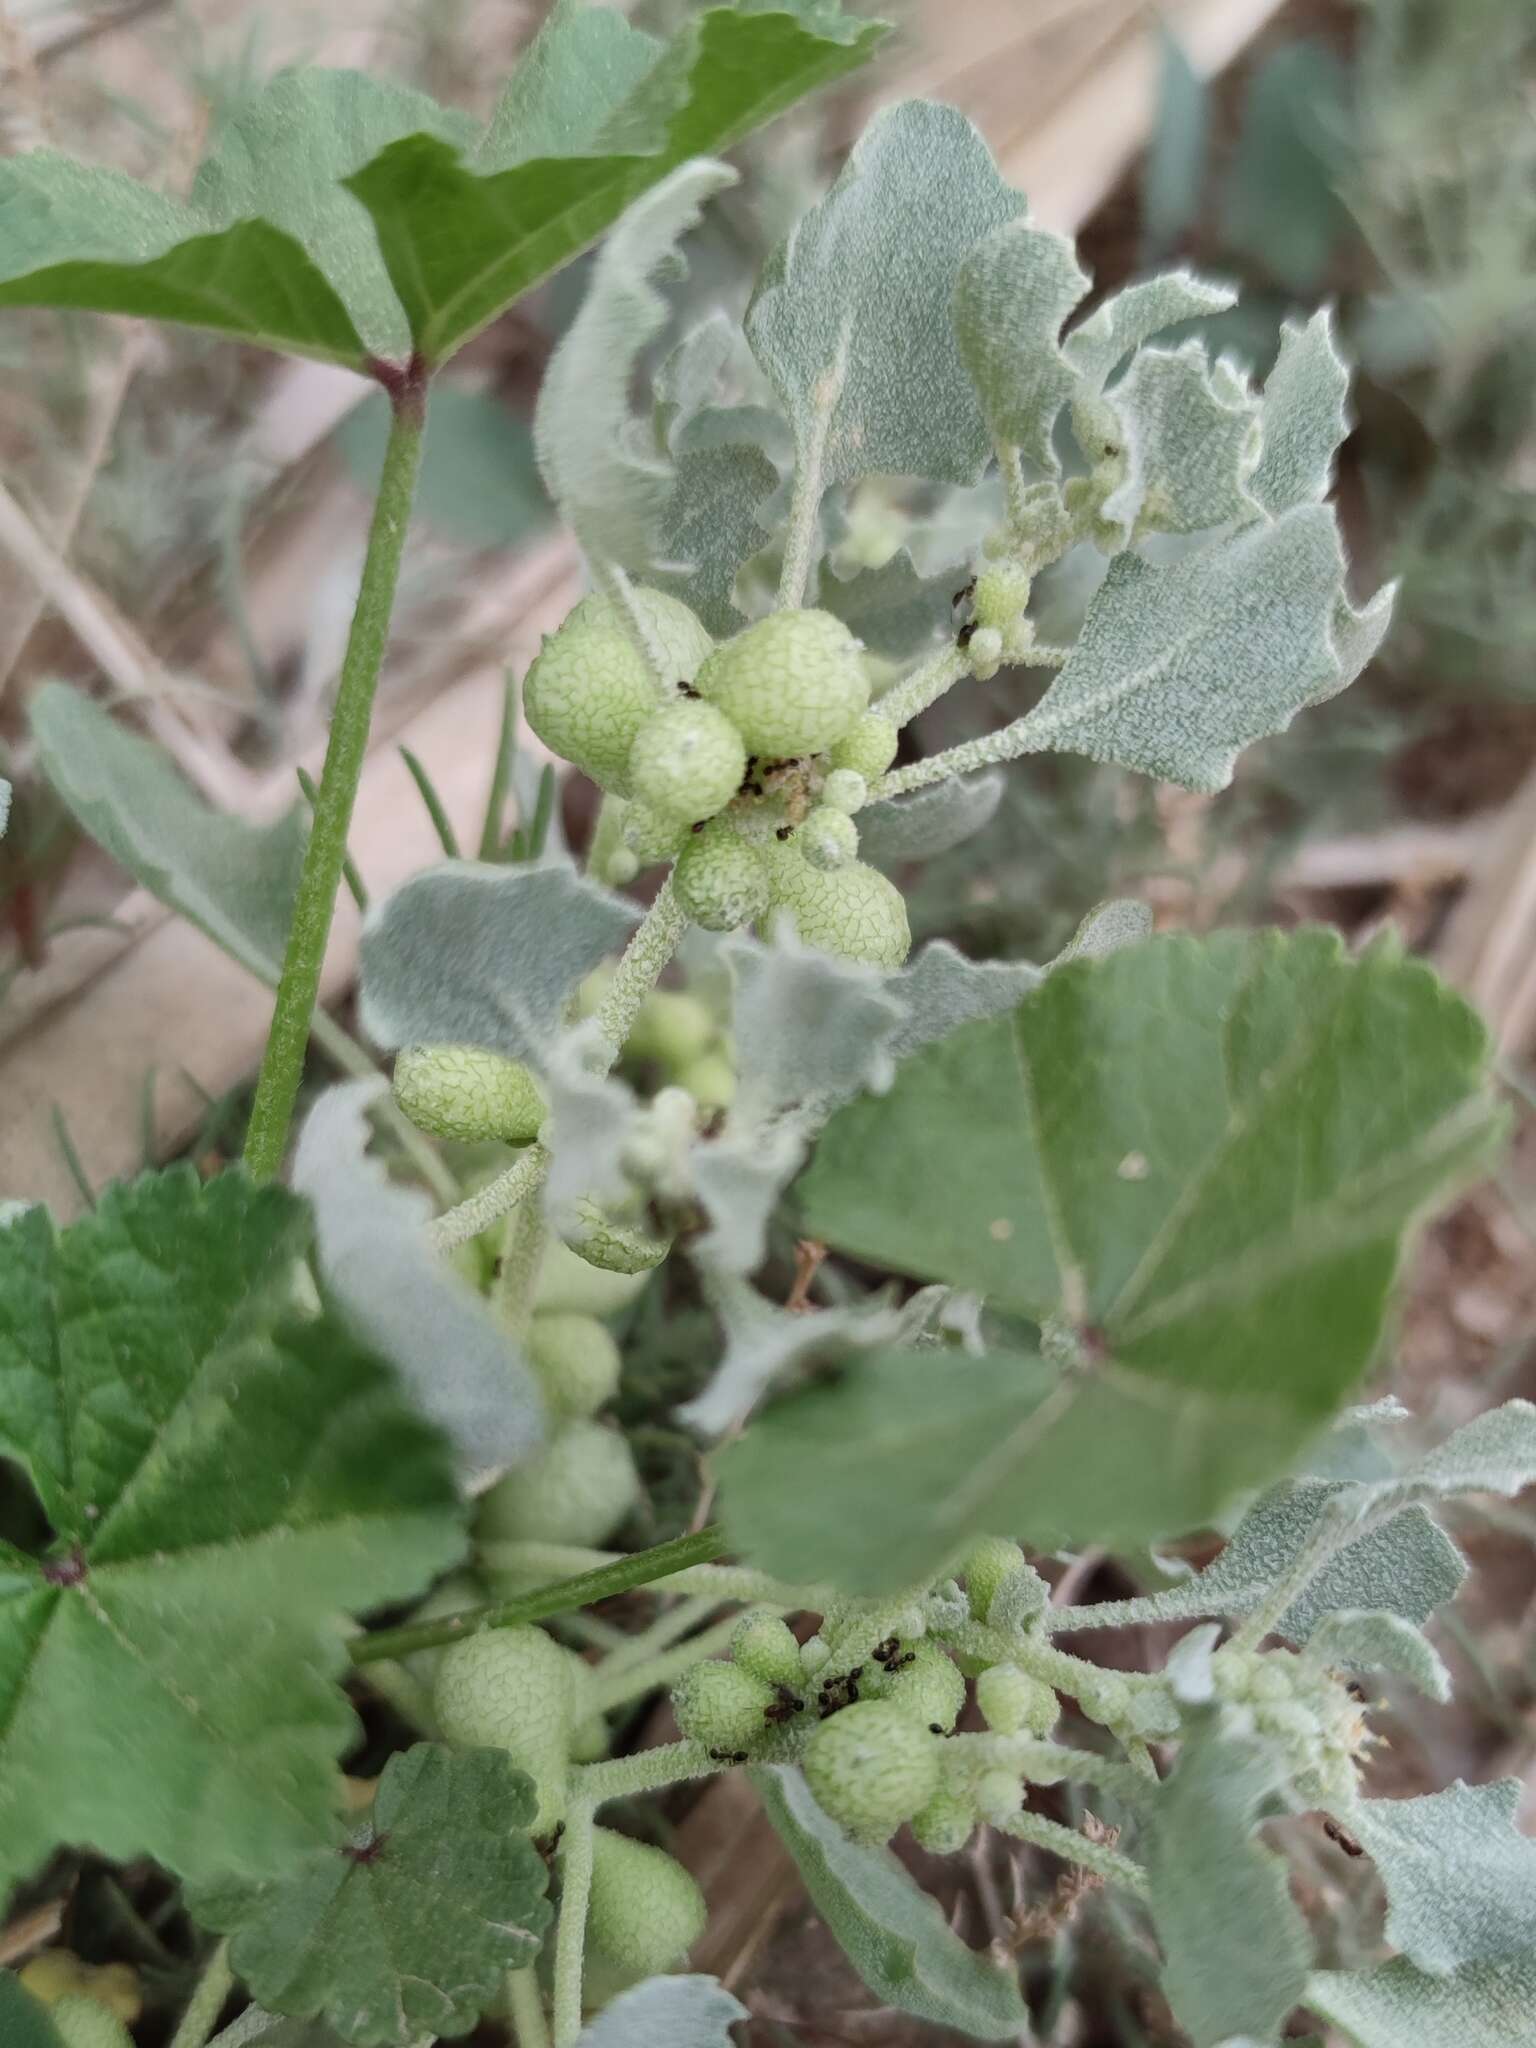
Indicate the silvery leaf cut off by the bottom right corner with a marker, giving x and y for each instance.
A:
(1398, 2006)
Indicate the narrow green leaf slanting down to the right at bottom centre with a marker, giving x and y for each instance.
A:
(892, 1932)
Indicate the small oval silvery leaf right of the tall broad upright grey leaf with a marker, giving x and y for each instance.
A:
(1011, 302)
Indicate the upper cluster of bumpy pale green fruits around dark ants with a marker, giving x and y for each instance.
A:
(744, 769)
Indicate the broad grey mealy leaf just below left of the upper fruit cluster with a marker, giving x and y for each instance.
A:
(478, 953)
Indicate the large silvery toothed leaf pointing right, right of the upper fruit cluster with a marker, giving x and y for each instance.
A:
(1181, 667)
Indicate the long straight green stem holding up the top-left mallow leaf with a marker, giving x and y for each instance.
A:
(288, 1041)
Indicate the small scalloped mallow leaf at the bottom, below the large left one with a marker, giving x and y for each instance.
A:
(413, 1926)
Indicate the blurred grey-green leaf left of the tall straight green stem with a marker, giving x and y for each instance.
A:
(230, 880)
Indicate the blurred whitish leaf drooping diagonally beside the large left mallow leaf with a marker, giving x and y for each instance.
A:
(378, 1263)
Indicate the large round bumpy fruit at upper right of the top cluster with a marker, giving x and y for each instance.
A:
(792, 683)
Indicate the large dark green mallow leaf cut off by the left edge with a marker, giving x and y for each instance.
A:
(228, 1478)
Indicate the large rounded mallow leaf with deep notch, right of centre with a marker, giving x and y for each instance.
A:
(1201, 1158)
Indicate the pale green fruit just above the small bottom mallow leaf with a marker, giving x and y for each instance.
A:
(513, 1689)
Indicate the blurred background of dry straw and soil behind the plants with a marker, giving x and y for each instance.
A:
(181, 531)
